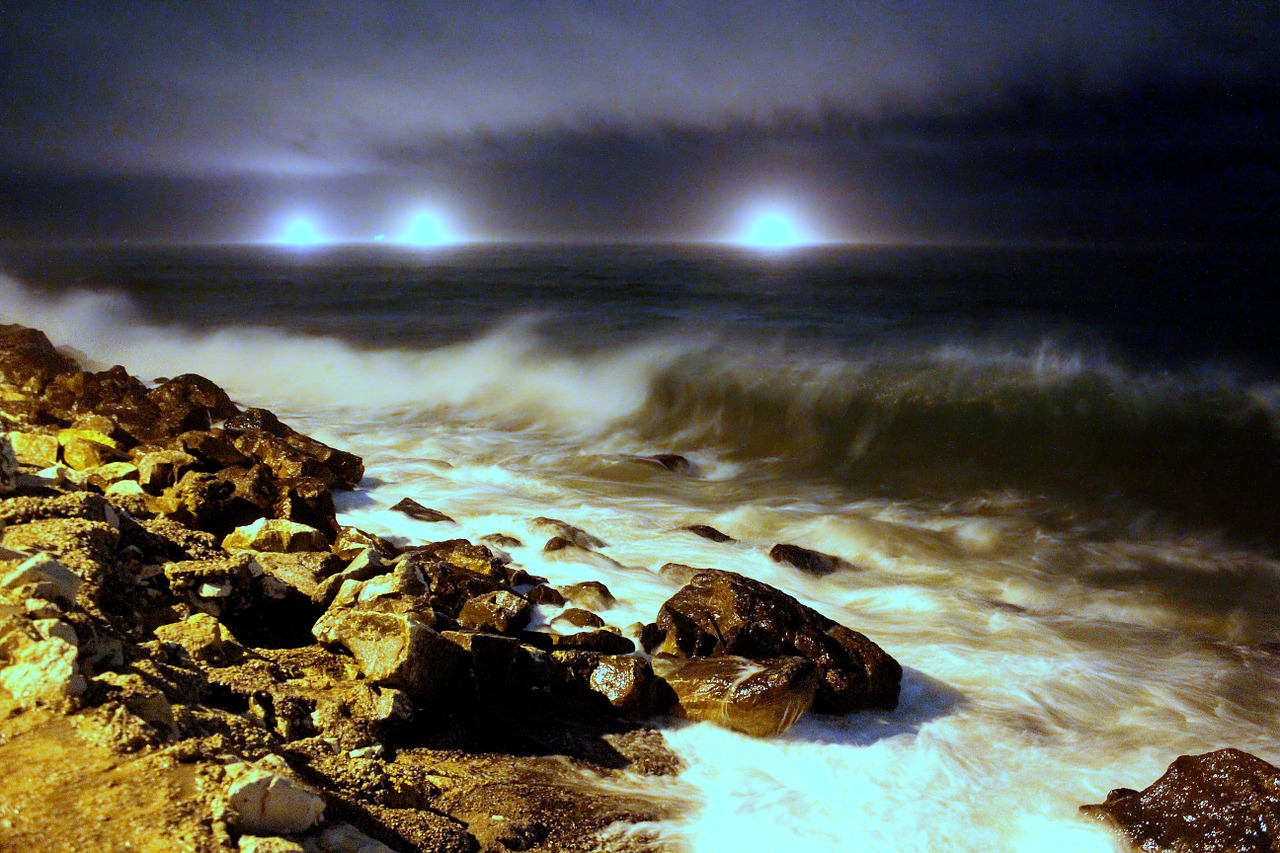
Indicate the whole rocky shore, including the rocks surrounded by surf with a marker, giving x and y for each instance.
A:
(196, 655)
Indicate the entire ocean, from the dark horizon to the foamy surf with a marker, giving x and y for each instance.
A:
(1055, 475)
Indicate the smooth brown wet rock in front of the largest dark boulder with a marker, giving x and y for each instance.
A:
(761, 699)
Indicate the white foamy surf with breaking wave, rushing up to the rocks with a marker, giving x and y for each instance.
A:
(1049, 656)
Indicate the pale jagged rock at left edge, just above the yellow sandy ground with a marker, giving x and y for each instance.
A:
(39, 662)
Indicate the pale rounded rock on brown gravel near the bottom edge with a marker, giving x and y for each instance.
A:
(267, 800)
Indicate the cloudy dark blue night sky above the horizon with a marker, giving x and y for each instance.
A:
(1005, 121)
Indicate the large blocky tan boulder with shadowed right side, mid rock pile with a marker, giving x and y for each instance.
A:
(396, 650)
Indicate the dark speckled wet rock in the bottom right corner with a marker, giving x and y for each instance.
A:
(1218, 802)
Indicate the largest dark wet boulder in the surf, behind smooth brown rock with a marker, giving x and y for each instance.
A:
(723, 613)
